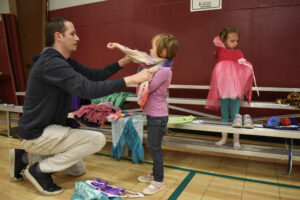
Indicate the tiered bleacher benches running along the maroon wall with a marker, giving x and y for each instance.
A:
(211, 124)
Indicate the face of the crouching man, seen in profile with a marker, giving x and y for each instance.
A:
(69, 38)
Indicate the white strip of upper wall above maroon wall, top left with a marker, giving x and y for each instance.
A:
(58, 4)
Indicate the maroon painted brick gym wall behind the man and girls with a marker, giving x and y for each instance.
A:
(270, 31)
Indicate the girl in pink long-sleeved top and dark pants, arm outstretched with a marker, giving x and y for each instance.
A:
(164, 49)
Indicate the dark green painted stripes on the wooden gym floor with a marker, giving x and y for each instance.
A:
(214, 174)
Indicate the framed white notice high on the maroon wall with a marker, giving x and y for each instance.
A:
(202, 5)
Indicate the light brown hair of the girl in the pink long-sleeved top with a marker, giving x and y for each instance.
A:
(168, 42)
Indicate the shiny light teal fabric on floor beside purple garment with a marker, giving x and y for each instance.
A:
(83, 191)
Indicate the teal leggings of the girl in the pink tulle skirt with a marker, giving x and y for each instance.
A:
(231, 106)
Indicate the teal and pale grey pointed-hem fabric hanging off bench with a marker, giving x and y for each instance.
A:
(130, 130)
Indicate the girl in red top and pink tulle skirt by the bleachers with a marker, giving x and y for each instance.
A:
(231, 80)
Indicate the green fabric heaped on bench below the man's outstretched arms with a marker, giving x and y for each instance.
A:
(118, 99)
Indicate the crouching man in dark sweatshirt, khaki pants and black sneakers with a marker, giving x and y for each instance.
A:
(53, 80)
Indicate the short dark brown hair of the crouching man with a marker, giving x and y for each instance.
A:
(53, 25)
